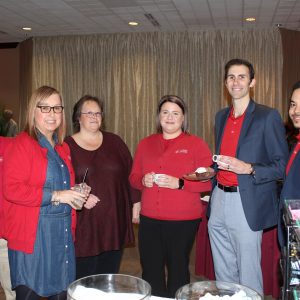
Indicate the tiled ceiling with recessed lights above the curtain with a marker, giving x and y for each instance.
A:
(69, 17)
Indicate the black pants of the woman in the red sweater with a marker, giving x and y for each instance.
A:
(166, 245)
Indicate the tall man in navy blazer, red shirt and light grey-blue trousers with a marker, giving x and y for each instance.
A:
(251, 155)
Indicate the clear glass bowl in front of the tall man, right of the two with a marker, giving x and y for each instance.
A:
(194, 291)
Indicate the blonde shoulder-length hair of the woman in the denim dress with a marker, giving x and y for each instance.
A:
(41, 94)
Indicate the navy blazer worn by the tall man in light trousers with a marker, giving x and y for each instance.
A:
(262, 142)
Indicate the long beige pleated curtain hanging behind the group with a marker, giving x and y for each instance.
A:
(132, 71)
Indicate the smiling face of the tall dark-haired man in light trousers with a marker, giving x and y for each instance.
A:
(238, 82)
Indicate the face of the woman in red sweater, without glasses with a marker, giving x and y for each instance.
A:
(171, 119)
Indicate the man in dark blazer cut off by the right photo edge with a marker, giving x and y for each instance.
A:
(291, 189)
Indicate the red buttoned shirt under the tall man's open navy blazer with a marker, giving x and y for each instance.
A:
(228, 147)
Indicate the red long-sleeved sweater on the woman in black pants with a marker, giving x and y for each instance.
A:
(174, 157)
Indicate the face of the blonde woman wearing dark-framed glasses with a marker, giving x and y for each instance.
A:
(47, 123)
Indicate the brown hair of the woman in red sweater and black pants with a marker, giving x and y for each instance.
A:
(173, 99)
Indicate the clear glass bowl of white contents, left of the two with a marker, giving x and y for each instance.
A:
(109, 286)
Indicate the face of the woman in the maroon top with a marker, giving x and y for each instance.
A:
(90, 118)
